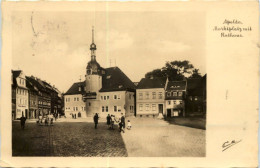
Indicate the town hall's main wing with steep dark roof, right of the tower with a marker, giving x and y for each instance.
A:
(117, 94)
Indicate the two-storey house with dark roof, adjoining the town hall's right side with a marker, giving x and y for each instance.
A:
(150, 95)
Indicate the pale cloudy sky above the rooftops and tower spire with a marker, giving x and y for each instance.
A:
(54, 46)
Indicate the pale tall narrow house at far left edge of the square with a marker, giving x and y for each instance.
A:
(19, 95)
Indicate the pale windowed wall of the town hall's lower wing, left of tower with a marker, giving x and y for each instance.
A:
(73, 104)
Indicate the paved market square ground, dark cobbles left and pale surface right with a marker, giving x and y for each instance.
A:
(148, 137)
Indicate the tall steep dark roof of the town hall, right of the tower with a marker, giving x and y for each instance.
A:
(115, 80)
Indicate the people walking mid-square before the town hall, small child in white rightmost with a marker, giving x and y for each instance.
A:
(112, 121)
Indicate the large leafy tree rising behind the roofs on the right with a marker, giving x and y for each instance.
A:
(175, 70)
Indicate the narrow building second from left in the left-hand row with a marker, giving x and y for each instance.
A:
(33, 99)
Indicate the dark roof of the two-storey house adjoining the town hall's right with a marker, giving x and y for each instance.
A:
(147, 83)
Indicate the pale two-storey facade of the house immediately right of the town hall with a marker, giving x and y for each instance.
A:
(148, 103)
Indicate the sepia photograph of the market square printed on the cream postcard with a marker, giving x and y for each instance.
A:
(117, 84)
